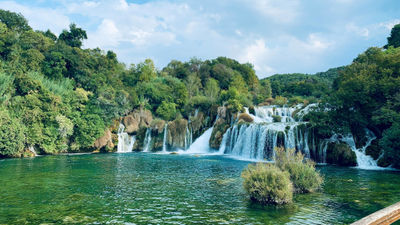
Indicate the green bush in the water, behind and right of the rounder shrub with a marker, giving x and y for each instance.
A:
(302, 172)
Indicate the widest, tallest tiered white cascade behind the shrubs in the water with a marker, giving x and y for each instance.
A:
(258, 140)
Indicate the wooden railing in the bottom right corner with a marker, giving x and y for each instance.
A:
(385, 216)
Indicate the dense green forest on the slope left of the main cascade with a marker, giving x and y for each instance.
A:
(58, 97)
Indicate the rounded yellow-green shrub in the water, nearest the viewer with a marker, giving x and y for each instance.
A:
(266, 184)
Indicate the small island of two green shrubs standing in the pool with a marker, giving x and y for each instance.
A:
(268, 183)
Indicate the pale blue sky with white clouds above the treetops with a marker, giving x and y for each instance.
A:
(291, 36)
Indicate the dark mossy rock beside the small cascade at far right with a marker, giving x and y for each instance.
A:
(340, 154)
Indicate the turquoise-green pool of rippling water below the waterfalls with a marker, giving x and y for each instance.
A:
(139, 188)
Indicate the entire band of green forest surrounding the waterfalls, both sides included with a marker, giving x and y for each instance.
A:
(57, 97)
